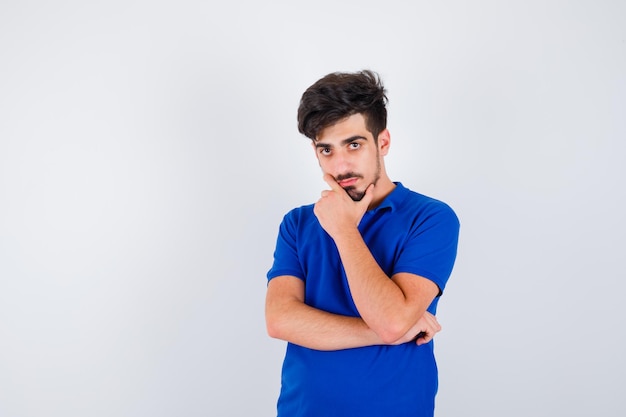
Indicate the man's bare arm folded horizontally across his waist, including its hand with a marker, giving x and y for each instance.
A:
(290, 319)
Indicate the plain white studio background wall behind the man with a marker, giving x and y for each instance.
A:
(148, 151)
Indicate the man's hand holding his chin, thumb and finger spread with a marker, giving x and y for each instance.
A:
(336, 211)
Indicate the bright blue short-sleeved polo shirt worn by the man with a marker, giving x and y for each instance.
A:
(407, 232)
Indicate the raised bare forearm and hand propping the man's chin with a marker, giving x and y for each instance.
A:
(390, 307)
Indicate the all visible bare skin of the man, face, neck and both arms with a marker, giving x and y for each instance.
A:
(393, 311)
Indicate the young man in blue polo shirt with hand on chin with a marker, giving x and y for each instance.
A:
(356, 276)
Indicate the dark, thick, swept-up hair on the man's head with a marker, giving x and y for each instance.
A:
(340, 95)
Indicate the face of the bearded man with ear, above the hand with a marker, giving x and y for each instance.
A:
(347, 151)
